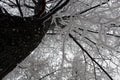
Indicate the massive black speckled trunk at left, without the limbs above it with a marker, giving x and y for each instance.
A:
(18, 37)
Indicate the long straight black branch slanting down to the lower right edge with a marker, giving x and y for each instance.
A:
(90, 56)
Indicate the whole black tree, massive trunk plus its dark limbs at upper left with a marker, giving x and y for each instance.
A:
(19, 35)
